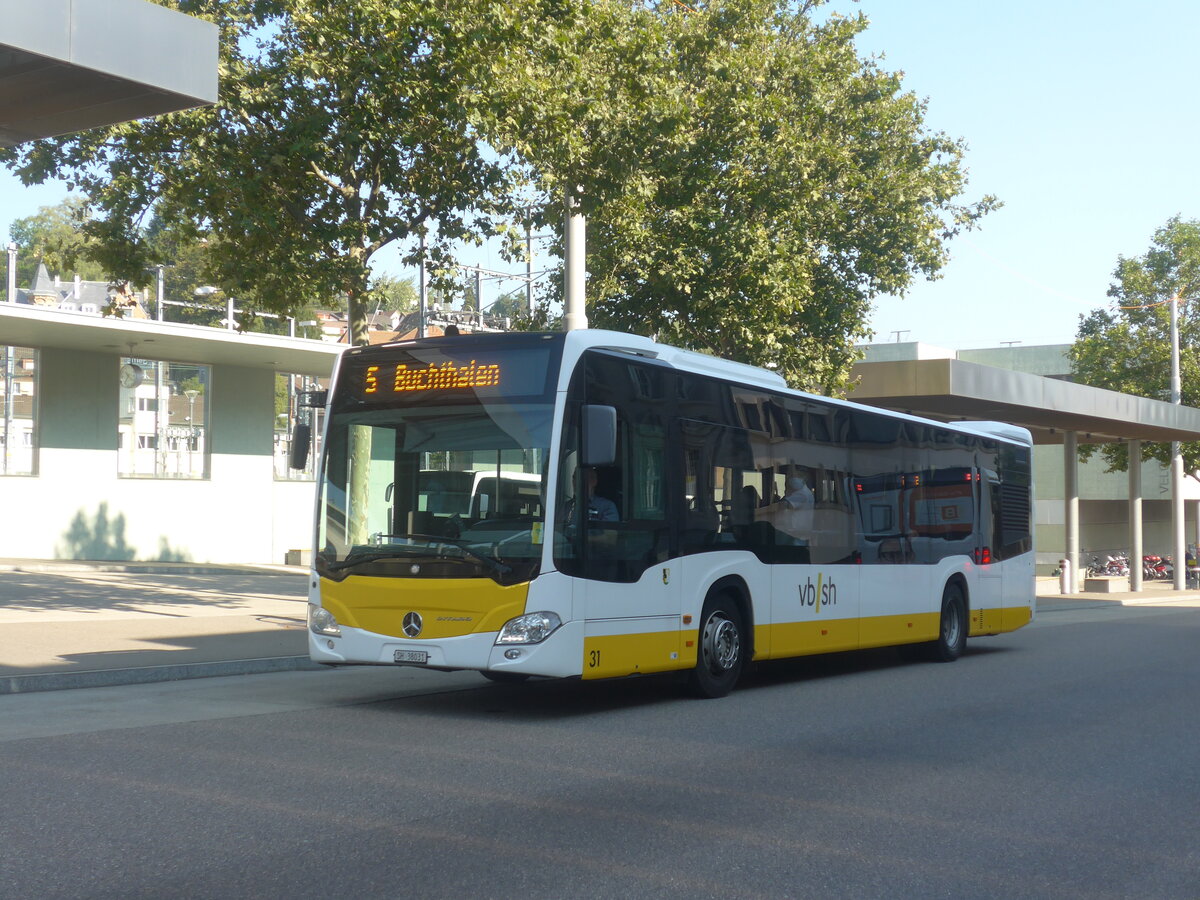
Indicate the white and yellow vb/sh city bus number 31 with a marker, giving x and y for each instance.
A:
(457, 529)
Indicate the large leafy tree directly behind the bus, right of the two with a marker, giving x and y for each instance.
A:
(752, 185)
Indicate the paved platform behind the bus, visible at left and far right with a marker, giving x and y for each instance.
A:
(83, 625)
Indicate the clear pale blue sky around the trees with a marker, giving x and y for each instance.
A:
(1081, 117)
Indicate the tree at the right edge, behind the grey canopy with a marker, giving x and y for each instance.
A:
(1129, 349)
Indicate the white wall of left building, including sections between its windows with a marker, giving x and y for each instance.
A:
(77, 507)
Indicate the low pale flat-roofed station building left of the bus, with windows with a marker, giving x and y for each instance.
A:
(140, 440)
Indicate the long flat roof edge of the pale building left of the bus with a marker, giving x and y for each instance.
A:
(148, 339)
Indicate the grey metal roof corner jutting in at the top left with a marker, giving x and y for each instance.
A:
(71, 65)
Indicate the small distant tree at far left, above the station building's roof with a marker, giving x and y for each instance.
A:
(55, 236)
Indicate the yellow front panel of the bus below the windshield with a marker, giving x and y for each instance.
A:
(449, 608)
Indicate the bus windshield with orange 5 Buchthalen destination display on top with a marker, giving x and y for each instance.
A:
(440, 481)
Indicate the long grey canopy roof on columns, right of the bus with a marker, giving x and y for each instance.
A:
(950, 389)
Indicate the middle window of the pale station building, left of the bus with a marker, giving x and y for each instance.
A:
(164, 422)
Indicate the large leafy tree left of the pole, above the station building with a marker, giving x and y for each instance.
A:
(344, 127)
